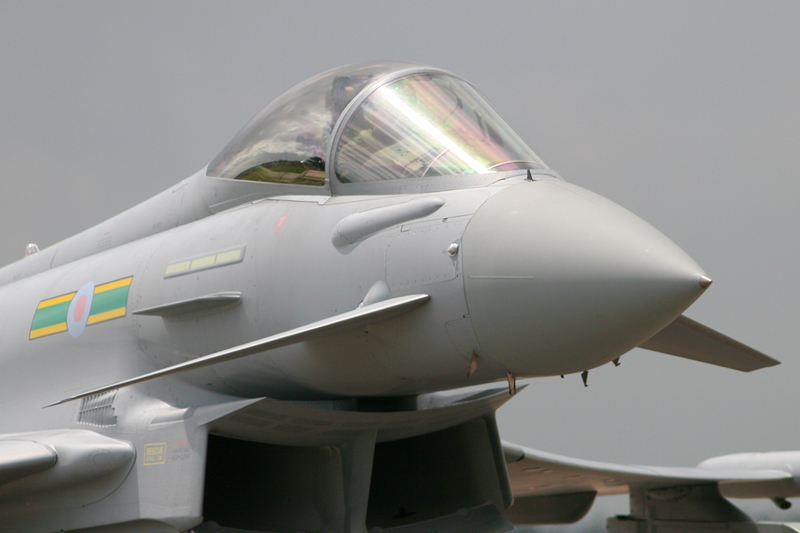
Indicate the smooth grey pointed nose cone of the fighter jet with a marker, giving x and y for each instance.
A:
(559, 279)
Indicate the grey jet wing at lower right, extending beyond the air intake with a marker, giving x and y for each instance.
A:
(552, 489)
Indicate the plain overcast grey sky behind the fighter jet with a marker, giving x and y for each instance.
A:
(686, 113)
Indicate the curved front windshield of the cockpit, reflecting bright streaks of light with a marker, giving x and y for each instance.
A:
(428, 124)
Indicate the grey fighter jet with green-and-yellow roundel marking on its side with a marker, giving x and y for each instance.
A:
(314, 331)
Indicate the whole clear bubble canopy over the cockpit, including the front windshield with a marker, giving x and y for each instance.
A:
(374, 123)
